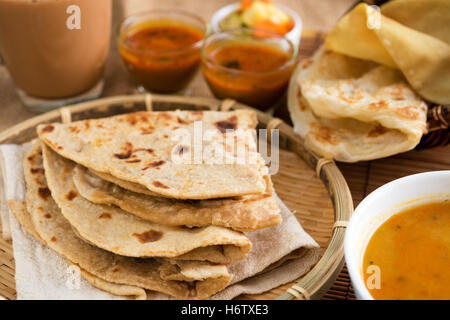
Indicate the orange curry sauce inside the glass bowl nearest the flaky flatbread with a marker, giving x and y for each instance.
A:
(263, 78)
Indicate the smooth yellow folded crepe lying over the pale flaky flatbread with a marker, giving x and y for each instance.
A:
(412, 35)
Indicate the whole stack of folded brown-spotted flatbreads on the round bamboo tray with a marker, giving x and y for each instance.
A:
(143, 201)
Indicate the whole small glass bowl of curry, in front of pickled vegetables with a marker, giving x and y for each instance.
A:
(249, 65)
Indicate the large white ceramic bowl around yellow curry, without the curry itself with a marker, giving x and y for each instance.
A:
(379, 206)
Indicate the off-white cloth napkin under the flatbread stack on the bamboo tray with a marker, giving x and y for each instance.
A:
(43, 274)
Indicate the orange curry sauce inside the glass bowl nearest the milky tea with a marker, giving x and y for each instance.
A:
(162, 56)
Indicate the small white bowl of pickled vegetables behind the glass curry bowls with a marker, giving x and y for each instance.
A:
(260, 14)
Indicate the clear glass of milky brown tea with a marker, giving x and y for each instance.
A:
(55, 50)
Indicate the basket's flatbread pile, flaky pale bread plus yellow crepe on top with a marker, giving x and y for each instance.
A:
(361, 96)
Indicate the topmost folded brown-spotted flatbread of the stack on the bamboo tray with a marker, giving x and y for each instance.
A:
(154, 150)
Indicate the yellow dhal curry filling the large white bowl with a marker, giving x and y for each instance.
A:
(410, 253)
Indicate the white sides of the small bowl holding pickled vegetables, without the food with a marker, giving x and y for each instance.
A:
(293, 35)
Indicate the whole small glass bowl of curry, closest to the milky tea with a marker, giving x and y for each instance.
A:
(161, 48)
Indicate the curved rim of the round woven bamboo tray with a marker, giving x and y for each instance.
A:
(320, 278)
